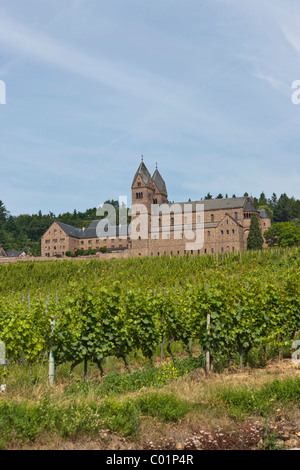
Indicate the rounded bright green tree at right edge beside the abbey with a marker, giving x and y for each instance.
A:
(283, 234)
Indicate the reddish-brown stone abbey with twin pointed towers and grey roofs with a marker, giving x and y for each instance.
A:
(159, 227)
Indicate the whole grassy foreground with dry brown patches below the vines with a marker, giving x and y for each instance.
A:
(149, 401)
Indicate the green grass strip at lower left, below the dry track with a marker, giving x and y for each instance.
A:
(25, 421)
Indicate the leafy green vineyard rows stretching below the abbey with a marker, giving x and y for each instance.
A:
(87, 311)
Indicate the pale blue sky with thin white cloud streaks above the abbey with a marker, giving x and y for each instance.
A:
(202, 88)
